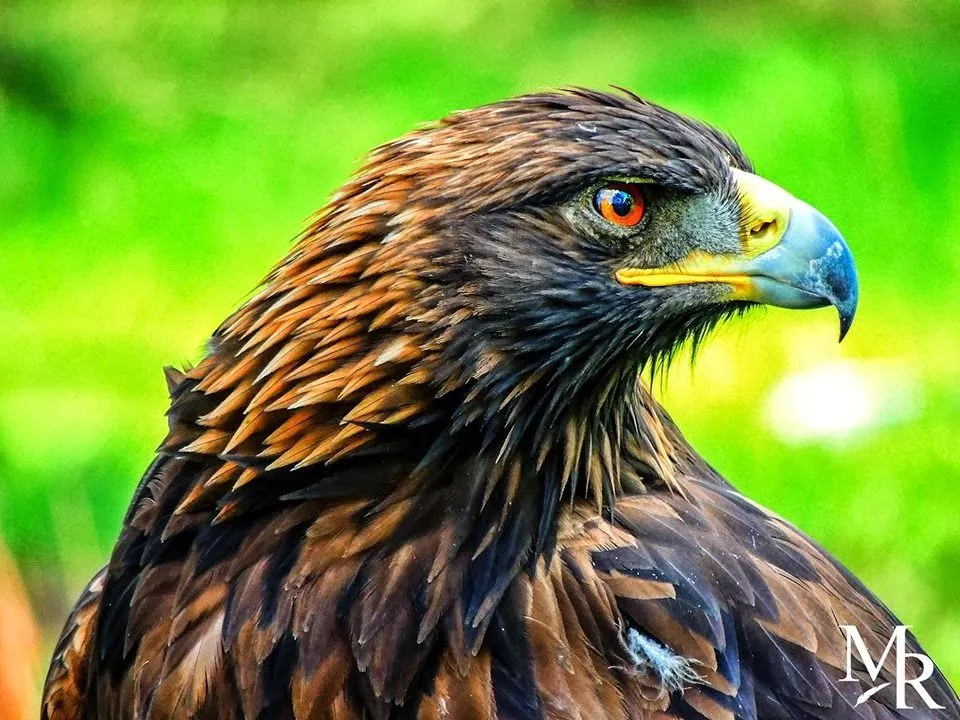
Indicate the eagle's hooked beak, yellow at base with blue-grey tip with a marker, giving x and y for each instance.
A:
(791, 256)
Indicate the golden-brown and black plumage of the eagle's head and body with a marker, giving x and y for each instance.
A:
(417, 475)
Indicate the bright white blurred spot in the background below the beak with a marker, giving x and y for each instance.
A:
(839, 400)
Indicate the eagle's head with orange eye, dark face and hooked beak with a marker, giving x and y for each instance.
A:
(583, 235)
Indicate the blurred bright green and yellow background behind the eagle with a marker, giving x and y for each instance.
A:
(157, 158)
